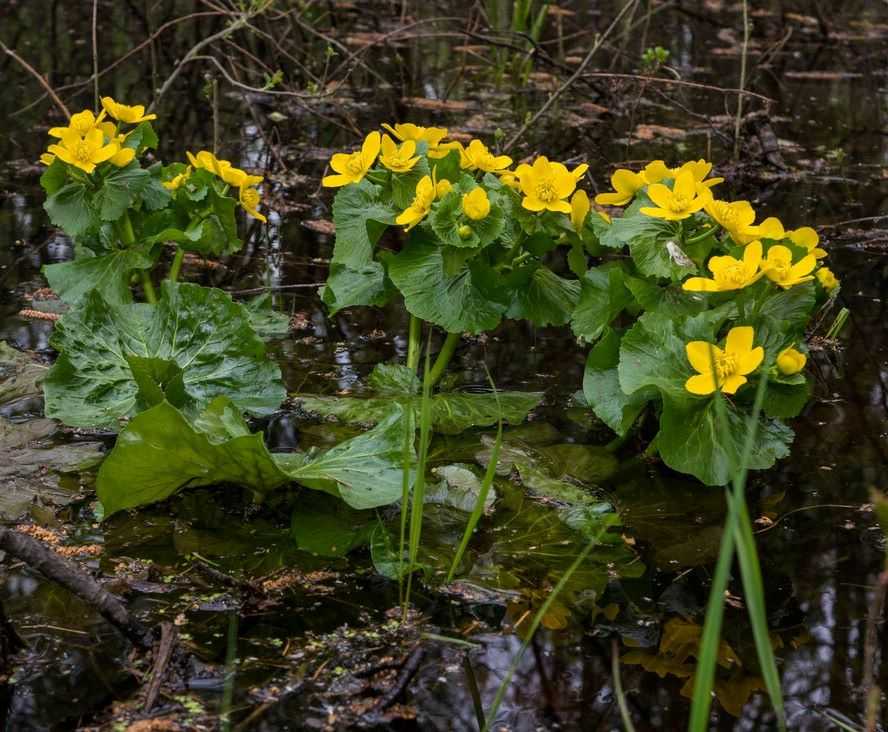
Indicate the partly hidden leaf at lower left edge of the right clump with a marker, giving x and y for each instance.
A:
(601, 386)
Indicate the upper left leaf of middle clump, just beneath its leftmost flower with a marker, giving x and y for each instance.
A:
(360, 217)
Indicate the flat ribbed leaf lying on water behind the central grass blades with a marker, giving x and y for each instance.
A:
(452, 412)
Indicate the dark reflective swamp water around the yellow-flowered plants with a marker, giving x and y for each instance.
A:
(821, 550)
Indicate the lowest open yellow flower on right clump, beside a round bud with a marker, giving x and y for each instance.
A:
(725, 370)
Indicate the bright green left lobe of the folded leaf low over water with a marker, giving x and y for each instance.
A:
(159, 452)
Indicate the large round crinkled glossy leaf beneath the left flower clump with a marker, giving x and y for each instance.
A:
(200, 330)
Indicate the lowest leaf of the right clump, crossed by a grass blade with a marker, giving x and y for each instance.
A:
(691, 440)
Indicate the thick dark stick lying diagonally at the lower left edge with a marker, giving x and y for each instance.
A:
(36, 555)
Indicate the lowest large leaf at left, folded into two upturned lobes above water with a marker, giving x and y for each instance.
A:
(161, 451)
